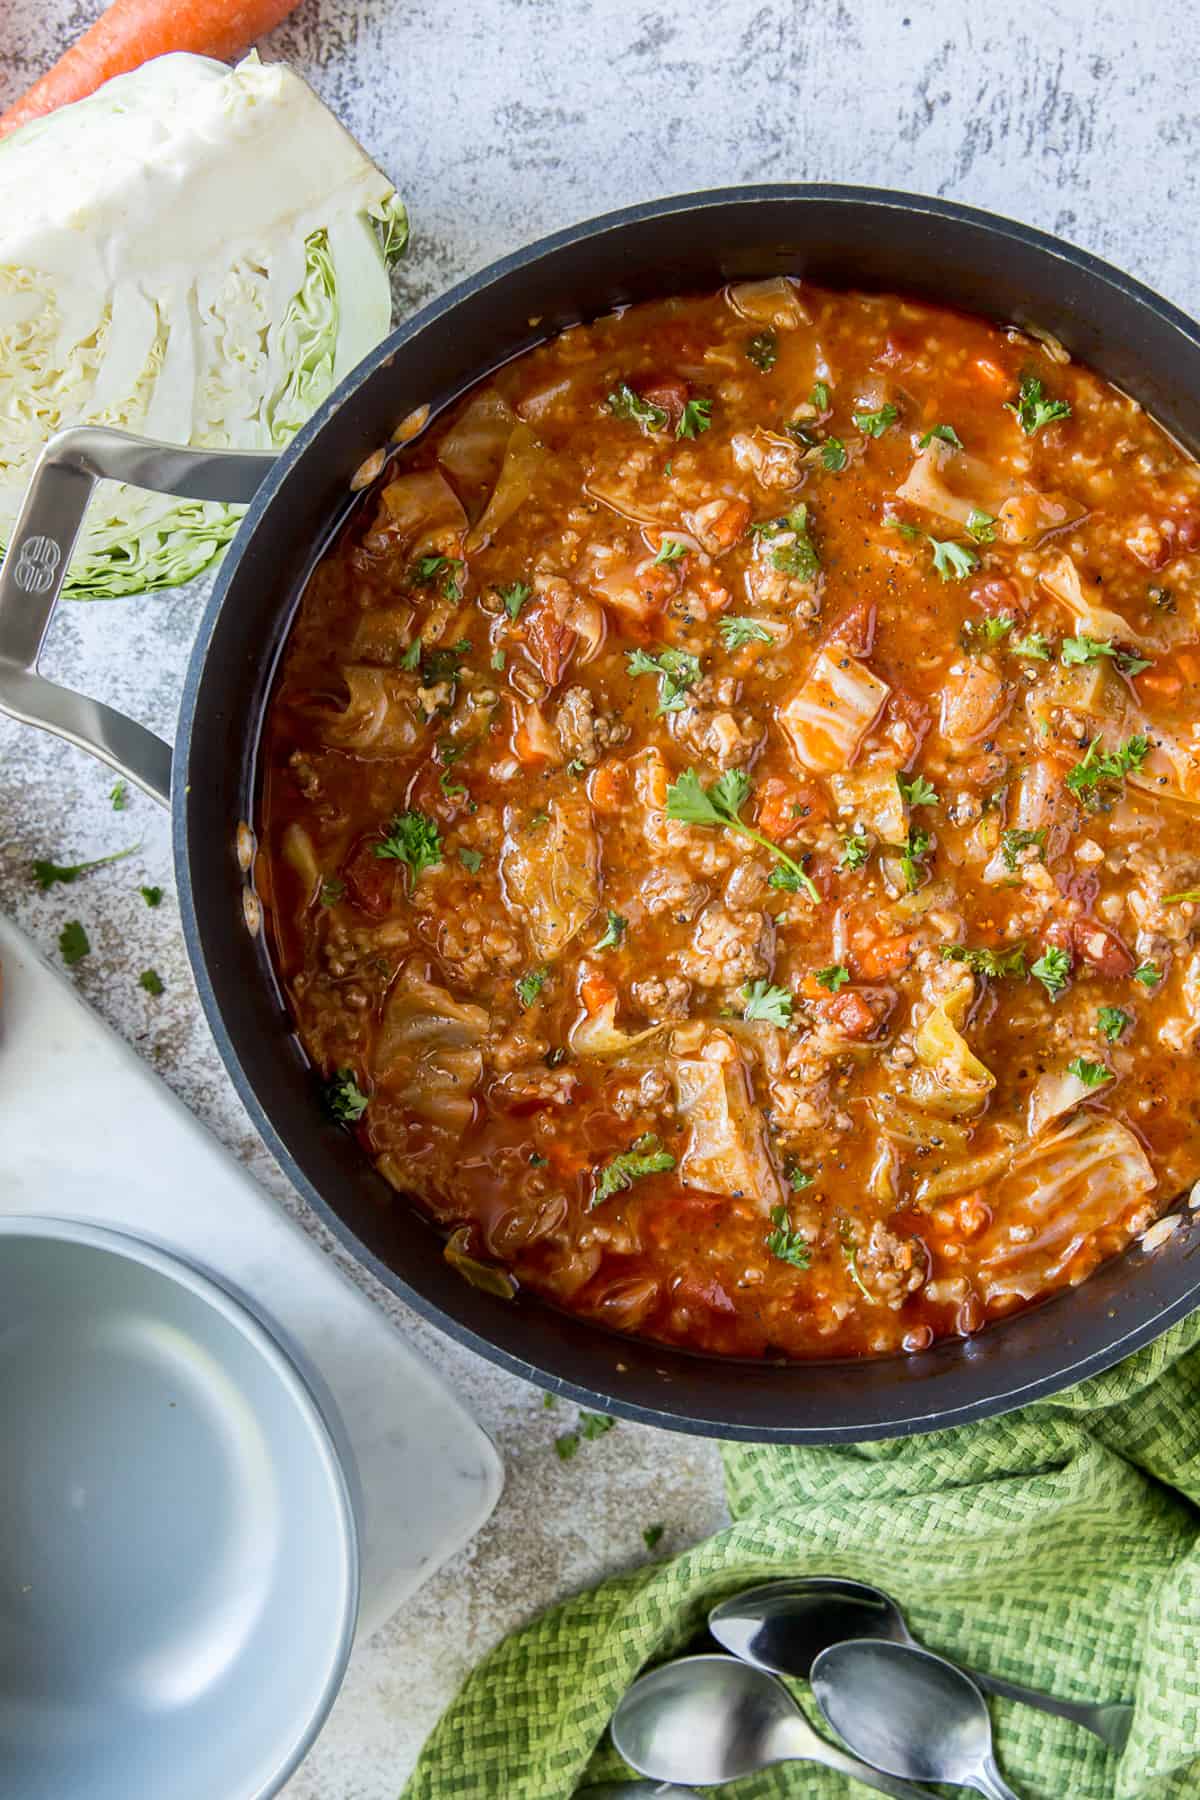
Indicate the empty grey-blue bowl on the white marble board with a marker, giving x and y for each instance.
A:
(179, 1563)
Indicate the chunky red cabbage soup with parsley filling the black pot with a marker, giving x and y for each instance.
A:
(730, 823)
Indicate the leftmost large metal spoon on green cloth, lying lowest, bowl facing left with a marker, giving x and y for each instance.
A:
(712, 1720)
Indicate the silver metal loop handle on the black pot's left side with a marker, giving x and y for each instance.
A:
(33, 571)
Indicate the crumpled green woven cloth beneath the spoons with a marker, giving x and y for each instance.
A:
(1059, 1547)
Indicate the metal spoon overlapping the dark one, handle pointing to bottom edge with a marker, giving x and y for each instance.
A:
(911, 1713)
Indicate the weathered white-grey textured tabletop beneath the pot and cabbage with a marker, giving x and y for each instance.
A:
(503, 121)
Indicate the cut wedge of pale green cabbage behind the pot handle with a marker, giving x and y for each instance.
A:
(193, 253)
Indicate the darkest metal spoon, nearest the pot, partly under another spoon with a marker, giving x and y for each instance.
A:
(785, 1624)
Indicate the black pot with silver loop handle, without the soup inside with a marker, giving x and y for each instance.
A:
(839, 237)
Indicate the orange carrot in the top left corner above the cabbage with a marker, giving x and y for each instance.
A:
(132, 31)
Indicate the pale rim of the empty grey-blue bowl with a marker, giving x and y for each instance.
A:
(258, 1335)
